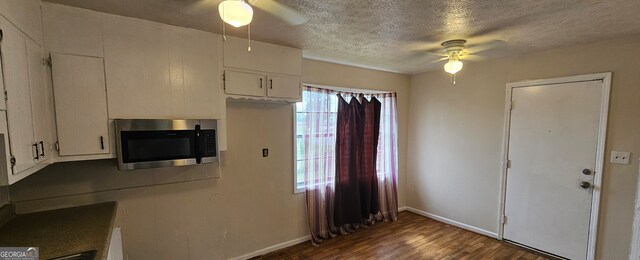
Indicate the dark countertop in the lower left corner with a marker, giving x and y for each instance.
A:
(62, 232)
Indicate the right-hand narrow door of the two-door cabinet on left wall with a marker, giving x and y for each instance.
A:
(42, 109)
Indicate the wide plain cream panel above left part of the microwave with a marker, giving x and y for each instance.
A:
(136, 55)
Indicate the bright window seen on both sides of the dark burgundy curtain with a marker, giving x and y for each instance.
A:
(315, 138)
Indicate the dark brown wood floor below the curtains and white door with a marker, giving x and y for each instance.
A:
(411, 237)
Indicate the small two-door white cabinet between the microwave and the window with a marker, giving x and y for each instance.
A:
(254, 85)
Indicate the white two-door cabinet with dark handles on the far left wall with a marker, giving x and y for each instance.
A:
(28, 117)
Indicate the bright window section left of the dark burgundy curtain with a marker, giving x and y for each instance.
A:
(315, 128)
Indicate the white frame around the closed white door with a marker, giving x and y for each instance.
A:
(602, 133)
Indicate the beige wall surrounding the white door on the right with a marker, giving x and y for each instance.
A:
(456, 136)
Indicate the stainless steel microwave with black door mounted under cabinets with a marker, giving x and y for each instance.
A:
(151, 143)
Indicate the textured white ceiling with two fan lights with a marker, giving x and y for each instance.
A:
(396, 35)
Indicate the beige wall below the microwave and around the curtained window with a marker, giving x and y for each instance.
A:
(251, 207)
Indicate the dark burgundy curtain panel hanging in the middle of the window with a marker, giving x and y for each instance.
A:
(356, 183)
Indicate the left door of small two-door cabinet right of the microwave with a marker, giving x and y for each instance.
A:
(243, 83)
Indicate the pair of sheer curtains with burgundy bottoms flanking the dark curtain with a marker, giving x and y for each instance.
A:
(317, 148)
